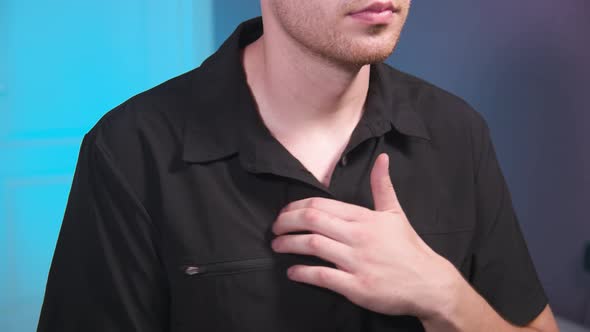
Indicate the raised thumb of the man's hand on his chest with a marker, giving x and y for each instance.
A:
(384, 196)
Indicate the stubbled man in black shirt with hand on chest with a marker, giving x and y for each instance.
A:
(294, 182)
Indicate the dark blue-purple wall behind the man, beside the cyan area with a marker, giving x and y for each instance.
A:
(526, 66)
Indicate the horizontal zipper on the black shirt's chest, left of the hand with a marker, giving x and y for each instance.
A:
(220, 268)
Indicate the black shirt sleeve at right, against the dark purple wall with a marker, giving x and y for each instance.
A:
(502, 269)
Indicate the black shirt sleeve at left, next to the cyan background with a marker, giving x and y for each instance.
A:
(106, 274)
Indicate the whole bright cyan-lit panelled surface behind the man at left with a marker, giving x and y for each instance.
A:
(63, 64)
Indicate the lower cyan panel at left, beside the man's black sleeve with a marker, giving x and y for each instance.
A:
(33, 224)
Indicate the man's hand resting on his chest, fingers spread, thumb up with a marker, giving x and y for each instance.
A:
(382, 263)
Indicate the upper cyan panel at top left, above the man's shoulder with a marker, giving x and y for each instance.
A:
(91, 55)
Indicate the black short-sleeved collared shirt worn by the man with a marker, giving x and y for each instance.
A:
(168, 222)
